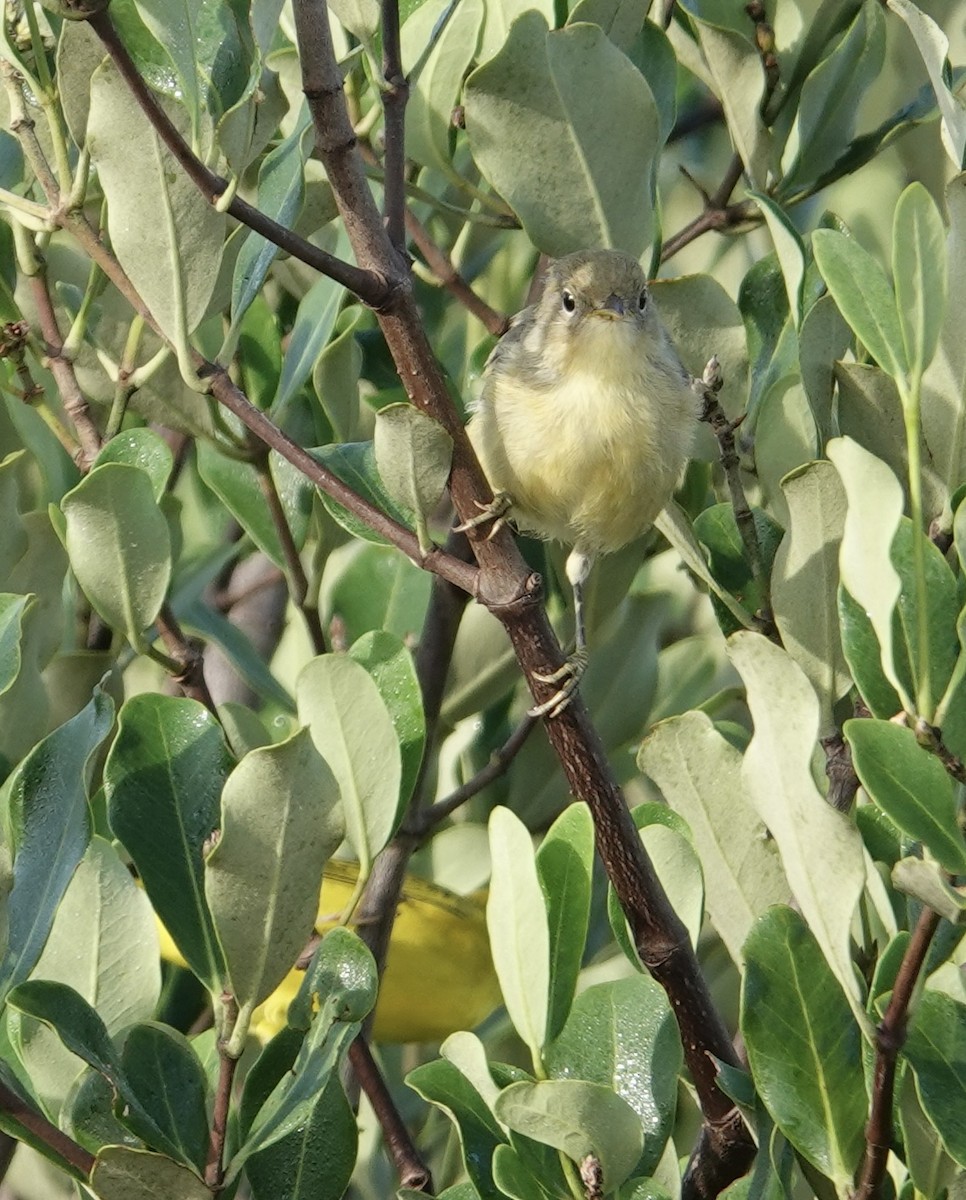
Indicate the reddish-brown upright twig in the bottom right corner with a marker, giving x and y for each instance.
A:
(891, 1035)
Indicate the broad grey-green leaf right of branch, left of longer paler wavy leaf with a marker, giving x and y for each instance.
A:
(699, 773)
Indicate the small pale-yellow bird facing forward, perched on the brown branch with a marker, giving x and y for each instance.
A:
(585, 422)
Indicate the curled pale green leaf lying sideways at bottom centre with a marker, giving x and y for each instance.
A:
(578, 1119)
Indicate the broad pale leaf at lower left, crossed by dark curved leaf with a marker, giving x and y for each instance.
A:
(104, 945)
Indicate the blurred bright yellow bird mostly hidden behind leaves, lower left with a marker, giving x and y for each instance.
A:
(439, 976)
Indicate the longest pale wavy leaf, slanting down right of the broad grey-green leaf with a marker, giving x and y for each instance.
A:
(777, 775)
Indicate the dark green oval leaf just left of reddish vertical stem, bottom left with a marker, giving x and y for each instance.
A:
(166, 1076)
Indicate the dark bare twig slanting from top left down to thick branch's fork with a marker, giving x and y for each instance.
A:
(368, 286)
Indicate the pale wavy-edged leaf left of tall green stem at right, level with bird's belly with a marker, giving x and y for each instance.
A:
(875, 508)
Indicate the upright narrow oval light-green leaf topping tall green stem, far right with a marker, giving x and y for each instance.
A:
(920, 269)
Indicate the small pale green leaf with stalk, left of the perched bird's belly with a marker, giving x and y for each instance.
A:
(413, 457)
